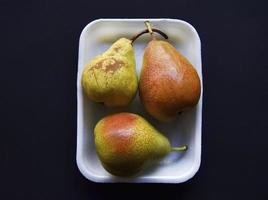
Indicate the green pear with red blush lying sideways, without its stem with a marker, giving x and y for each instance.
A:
(125, 141)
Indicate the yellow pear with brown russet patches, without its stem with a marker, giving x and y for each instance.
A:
(111, 77)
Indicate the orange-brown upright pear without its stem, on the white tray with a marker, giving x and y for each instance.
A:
(169, 84)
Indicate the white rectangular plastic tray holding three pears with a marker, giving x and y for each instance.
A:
(184, 130)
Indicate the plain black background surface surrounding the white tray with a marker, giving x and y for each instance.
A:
(38, 60)
